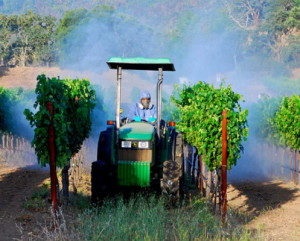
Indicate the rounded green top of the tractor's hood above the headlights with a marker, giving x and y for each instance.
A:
(137, 131)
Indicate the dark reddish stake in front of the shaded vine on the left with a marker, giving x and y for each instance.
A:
(52, 161)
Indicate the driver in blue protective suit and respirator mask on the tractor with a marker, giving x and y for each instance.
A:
(143, 110)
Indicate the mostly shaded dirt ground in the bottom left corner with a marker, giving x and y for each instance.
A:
(17, 185)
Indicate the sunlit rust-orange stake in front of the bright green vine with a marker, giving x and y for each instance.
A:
(223, 201)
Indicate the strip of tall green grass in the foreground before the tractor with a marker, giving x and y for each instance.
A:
(147, 218)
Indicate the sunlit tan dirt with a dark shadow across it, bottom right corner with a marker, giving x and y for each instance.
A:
(272, 208)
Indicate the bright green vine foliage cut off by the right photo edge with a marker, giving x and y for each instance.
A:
(287, 122)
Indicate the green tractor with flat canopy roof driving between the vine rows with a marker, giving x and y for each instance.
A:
(138, 154)
